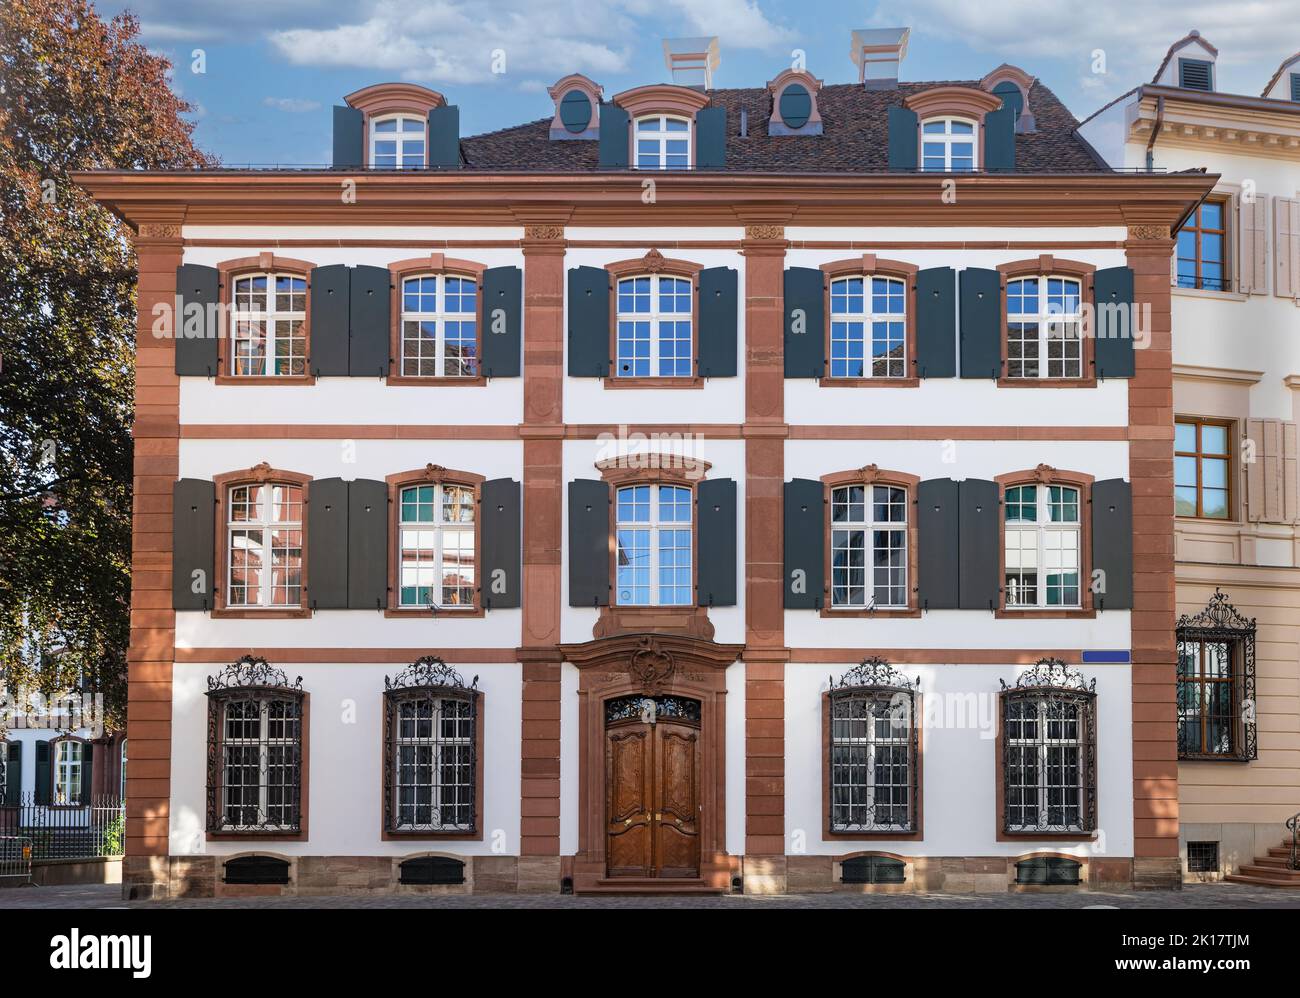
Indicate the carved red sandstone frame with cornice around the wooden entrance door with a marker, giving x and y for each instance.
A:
(653, 665)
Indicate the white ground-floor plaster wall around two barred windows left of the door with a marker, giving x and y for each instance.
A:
(345, 779)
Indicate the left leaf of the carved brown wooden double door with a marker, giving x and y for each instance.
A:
(630, 808)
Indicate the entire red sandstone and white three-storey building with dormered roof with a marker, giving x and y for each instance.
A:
(695, 491)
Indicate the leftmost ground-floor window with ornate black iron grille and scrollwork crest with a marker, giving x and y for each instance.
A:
(255, 750)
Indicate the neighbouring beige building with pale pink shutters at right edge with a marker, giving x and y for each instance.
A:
(1237, 394)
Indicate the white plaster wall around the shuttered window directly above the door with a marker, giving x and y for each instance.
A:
(729, 462)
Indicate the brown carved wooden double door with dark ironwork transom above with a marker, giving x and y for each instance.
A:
(653, 810)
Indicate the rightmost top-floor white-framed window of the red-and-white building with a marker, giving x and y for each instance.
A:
(1045, 326)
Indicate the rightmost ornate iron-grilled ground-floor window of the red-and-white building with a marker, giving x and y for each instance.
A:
(1050, 754)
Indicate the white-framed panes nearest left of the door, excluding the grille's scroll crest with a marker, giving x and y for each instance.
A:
(434, 763)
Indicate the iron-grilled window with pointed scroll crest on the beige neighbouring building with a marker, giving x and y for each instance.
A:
(1216, 684)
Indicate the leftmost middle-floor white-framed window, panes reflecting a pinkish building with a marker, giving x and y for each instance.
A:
(265, 532)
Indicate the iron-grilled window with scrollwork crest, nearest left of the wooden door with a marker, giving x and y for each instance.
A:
(431, 750)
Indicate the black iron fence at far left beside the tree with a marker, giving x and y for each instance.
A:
(67, 832)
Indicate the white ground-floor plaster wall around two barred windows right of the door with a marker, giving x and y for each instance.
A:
(959, 769)
